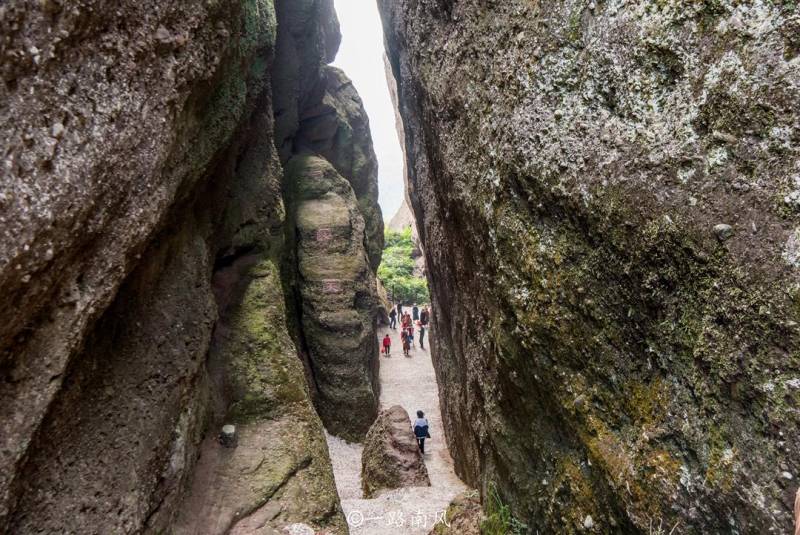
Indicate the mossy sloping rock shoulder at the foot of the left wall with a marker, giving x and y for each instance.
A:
(279, 472)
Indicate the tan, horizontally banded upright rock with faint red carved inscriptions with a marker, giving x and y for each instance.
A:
(337, 294)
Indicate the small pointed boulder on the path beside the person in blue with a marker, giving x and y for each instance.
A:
(391, 458)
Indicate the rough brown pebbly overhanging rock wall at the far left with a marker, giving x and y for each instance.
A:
(113, 124)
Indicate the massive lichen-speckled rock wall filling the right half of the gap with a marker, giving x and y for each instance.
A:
(603, 348)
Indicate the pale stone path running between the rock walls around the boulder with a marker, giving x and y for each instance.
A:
(410, 383)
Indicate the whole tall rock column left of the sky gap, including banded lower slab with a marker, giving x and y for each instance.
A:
(335, 301)
